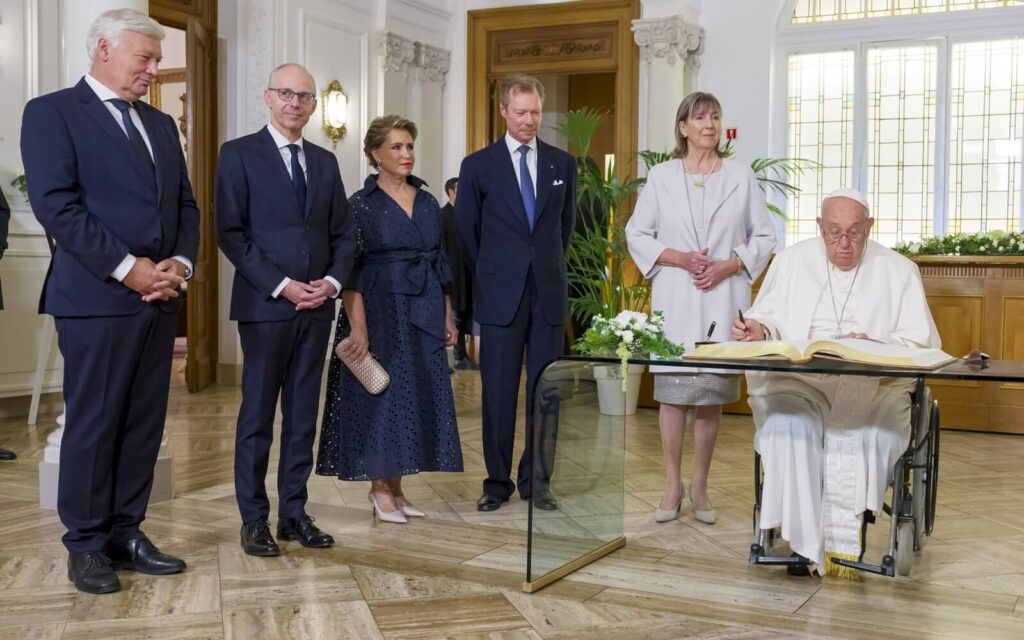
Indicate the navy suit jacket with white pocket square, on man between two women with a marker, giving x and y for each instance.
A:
(496, 238)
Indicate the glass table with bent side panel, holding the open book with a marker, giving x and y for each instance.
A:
(581, 453)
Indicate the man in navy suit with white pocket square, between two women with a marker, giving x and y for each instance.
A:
(516, 215)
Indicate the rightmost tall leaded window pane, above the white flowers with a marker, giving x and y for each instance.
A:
(987, 136)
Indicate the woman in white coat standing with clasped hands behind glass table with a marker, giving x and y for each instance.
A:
(703, 234)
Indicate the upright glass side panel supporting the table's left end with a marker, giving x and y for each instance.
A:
(585, 472)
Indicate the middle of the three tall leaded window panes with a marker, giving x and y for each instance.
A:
(902, 142)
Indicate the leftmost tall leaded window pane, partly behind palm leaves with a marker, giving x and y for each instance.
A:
(821, 118)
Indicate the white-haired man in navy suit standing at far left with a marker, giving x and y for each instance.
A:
(108, 181)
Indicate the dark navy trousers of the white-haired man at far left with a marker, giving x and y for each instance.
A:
(117, 375)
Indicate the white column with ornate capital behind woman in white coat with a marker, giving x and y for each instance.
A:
(670, 58)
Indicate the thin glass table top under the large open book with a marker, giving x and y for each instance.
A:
(993, 371)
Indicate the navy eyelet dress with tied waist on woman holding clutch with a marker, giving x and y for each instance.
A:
(402, 273)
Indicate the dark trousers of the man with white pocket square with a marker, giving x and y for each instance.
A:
(501, 368)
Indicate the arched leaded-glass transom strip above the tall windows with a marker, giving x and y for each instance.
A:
(829, 11)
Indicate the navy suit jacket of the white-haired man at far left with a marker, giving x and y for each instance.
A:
(100, 204)
